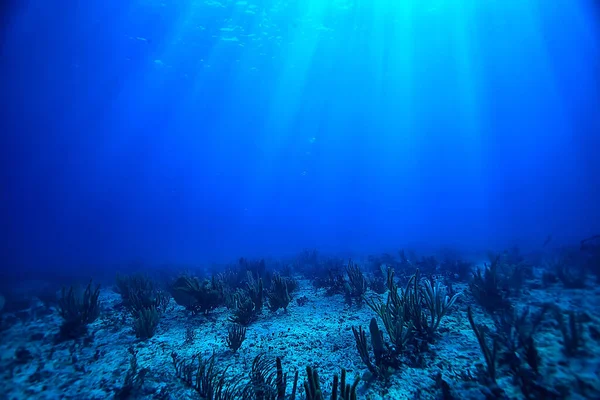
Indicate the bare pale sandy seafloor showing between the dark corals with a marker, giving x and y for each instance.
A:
(33, 366)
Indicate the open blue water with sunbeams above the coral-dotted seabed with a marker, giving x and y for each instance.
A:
(199, 131)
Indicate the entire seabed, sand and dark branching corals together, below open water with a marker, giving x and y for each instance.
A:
(402, 326)
